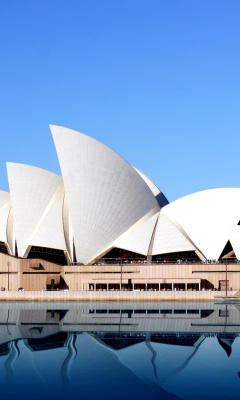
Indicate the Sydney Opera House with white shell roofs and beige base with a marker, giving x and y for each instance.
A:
(76, 230)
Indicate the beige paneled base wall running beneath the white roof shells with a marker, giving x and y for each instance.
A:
(34, 275)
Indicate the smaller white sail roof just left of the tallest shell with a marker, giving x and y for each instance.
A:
(37, 197)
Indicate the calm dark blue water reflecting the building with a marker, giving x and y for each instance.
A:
(165, 350)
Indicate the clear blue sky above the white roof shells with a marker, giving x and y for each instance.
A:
(158, 81)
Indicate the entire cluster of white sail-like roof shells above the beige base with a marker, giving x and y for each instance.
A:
(101, 203)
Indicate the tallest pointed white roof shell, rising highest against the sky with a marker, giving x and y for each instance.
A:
(106, 195)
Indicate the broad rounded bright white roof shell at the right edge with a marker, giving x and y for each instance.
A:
(209, 219)
